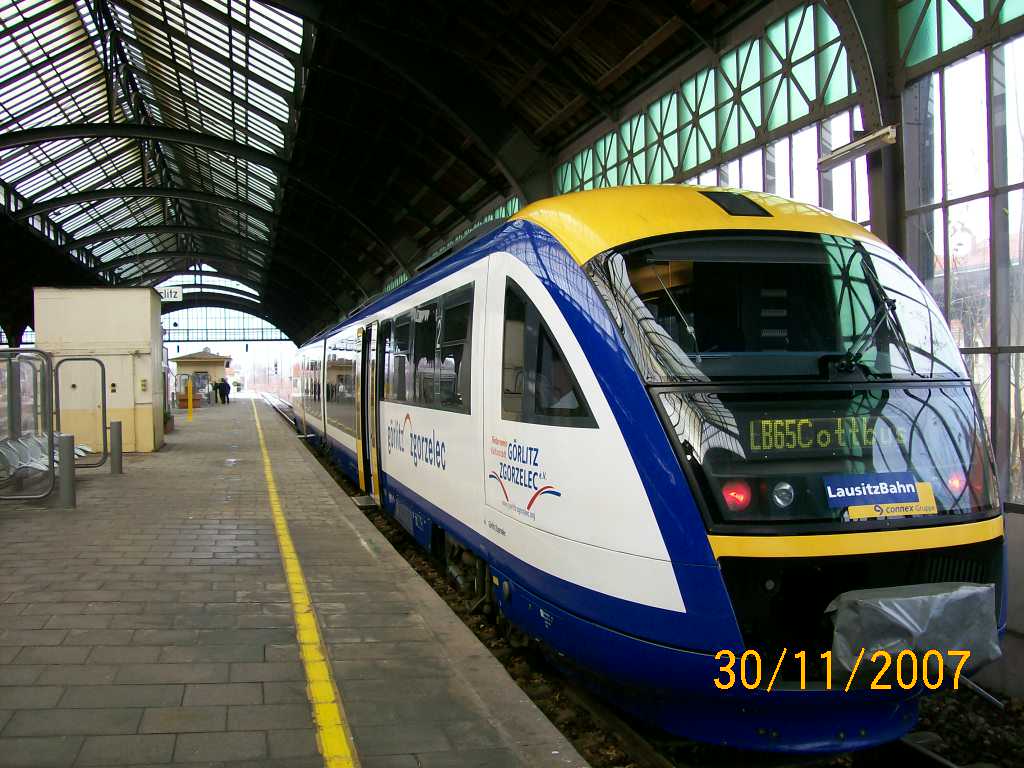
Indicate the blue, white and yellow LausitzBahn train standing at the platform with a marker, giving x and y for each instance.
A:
(666, 424)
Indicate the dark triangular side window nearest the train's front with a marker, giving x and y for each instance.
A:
(538, 386)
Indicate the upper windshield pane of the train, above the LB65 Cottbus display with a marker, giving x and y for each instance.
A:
(767, 307)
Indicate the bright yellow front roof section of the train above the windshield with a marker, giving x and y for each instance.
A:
(591, 223)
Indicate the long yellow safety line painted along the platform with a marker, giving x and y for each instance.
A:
(333, 736)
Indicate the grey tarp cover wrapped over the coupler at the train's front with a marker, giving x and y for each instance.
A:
(953, 616)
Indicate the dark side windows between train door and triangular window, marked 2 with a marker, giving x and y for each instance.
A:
(437, 335)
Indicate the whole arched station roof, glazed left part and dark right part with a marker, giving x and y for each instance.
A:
(292, 159)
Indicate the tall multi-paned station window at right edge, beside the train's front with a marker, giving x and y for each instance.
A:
(964, 185)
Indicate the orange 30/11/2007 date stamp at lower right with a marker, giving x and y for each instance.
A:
(885, 670)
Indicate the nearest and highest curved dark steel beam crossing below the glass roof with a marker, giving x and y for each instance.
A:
(150, 133)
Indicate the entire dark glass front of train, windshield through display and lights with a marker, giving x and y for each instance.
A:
(808, 381)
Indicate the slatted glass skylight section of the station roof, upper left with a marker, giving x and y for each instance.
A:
(229, 69)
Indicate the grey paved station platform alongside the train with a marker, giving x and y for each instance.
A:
(154, 624)
